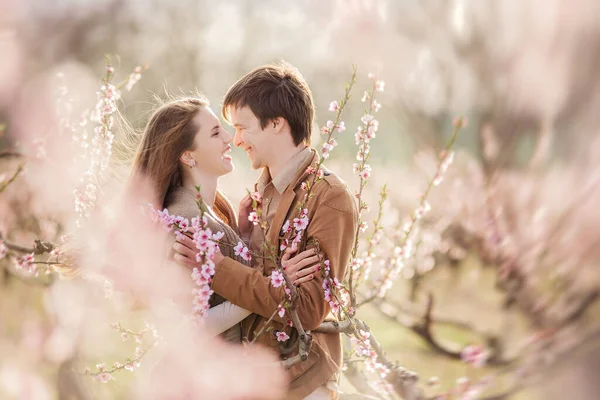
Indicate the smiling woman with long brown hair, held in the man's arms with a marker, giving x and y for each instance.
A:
(185, 146)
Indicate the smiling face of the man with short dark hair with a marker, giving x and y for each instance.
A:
(251, 137)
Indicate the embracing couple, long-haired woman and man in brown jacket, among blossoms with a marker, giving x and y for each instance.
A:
(184, 145)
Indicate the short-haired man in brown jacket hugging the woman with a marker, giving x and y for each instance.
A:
(272, 111)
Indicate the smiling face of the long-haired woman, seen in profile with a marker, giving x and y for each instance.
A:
(212, 145)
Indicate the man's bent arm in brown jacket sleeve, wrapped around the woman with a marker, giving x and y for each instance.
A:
(334, 226)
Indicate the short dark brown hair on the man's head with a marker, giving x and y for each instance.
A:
(271, 91)
